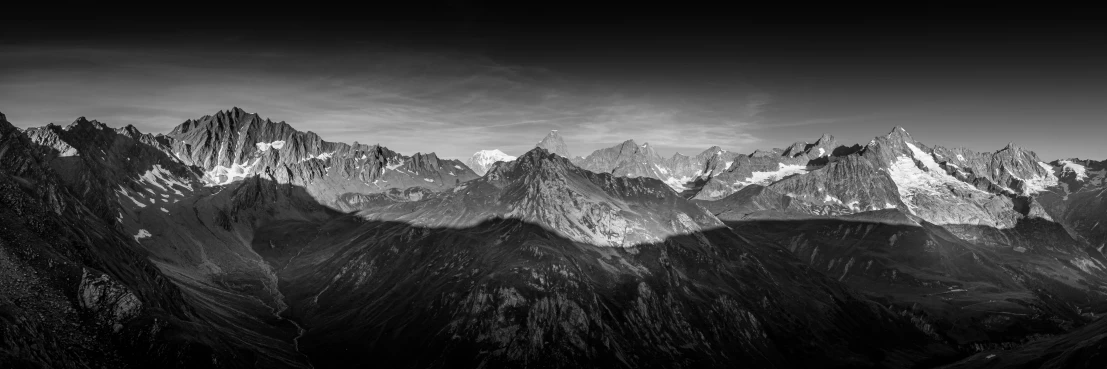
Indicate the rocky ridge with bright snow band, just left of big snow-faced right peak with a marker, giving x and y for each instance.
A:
(764, 168)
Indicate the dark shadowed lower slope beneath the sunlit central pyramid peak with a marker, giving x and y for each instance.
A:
(509, 293)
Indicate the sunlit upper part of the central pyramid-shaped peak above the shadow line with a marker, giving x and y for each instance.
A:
(545, 189)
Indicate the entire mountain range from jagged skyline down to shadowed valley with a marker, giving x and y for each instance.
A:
(234, 241)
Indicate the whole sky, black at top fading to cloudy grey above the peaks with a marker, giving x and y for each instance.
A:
(469, 76)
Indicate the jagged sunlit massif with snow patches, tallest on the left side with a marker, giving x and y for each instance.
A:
(234, 145)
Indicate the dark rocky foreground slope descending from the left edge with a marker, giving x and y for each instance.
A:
(75, 291)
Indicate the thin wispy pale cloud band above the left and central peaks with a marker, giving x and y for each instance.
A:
(450, 104)
